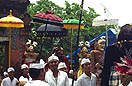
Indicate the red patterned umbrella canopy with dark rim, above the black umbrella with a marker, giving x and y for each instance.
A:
(48, 17)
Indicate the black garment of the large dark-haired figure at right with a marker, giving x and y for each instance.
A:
(112, 55)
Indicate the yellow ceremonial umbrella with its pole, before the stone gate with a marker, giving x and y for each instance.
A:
(11, 22)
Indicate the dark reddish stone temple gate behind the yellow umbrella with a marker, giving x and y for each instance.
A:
(19, 36)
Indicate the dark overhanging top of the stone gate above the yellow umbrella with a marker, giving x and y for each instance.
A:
(18, 6)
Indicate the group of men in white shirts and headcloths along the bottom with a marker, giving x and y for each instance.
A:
(56, 75)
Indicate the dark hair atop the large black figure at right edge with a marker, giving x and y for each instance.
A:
(125, 33)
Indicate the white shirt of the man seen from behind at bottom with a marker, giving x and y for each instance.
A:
(36, 83)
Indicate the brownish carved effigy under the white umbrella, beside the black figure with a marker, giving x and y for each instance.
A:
(97, 54)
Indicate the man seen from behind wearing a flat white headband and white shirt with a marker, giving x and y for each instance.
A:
(36, 72)
